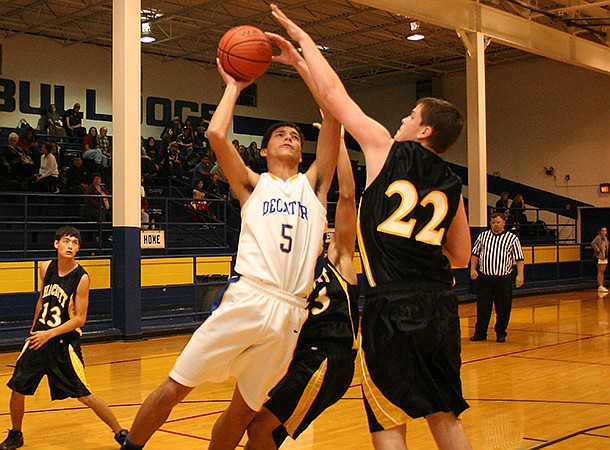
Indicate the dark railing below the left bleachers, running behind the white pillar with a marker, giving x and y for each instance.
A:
(28, 222)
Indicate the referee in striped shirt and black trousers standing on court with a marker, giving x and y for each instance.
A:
(494, 252)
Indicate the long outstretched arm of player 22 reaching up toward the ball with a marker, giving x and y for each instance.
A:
(374, 139)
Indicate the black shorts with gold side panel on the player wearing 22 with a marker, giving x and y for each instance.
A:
(410, 354)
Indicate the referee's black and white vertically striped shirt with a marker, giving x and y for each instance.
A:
(496, 252)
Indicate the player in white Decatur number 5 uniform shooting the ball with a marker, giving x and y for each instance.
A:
(253, 333)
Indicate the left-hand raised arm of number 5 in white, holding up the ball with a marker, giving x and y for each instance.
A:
(241, 178)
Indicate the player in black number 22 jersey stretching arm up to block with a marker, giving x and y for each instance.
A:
(412, 229)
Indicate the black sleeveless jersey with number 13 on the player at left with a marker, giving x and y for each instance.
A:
(58, 298)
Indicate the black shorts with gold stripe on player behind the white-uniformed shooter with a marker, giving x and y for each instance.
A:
(316, 379)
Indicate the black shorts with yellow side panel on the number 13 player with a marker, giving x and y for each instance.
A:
(61, 360)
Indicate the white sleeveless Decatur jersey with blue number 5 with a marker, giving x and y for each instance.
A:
(281, 233)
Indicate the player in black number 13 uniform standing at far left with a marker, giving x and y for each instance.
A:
(53, 348)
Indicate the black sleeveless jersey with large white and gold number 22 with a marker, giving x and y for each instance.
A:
(404, 215)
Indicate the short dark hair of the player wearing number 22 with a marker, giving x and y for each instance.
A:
(445, 119)
